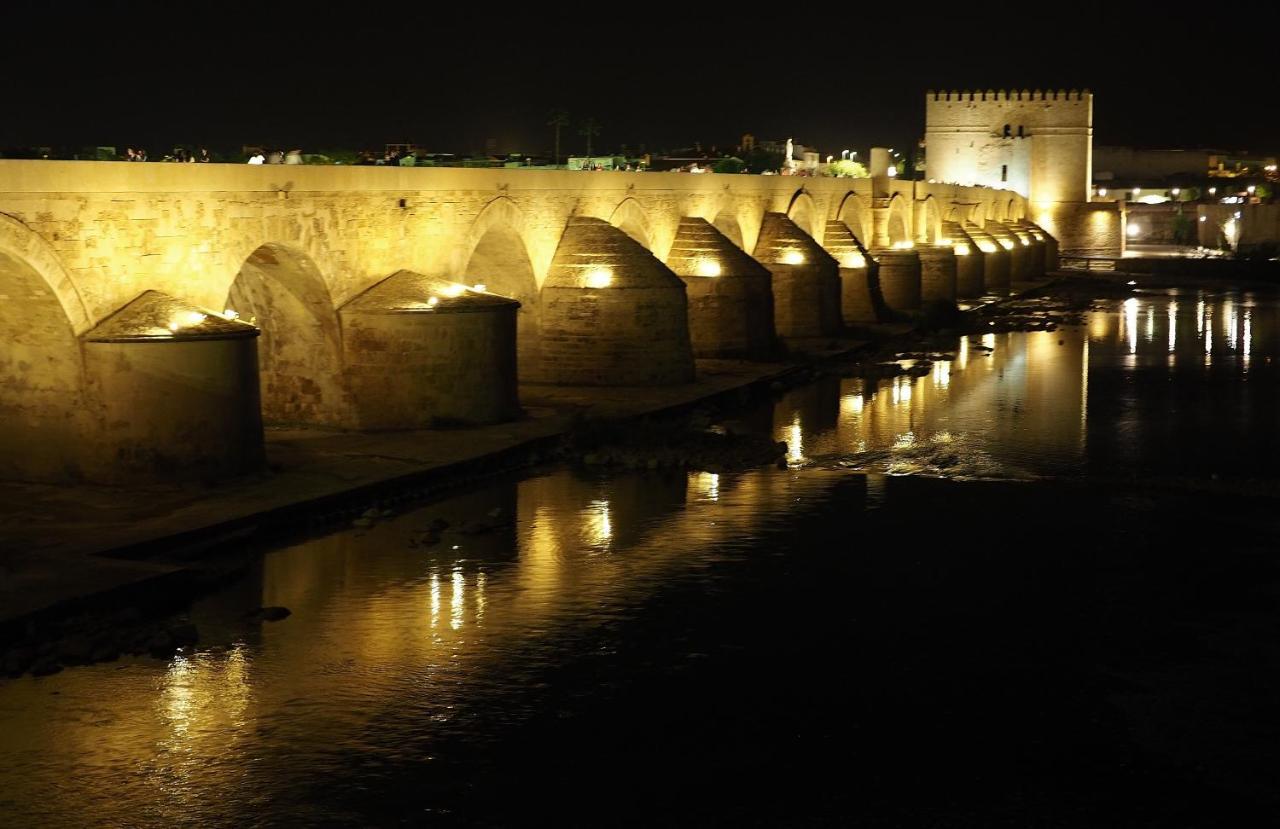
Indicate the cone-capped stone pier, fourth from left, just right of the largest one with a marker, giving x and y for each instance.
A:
(730, 295)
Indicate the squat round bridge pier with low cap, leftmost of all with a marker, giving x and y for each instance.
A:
(176, 393)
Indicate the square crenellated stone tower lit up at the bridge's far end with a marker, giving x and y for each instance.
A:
(1039, 144)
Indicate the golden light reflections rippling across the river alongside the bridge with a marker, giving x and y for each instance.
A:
(373, 657)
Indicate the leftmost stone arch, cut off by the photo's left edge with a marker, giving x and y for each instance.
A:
(42, 368)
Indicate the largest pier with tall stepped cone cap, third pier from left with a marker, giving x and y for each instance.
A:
(612, 314)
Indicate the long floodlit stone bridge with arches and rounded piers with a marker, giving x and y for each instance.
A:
(153, 317)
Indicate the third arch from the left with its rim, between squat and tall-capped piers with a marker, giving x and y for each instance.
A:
(497, 258)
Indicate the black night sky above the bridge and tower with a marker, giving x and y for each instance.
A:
(291, 75)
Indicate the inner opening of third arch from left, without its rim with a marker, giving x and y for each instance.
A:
(501, 264)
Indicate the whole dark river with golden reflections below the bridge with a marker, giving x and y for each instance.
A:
(949, 611)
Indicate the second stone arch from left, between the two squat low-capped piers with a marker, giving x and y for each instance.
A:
(281, 290)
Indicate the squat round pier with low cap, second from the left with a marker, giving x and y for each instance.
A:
(426, 352)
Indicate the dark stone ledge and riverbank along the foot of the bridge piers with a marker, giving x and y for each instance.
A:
(74, 551)
